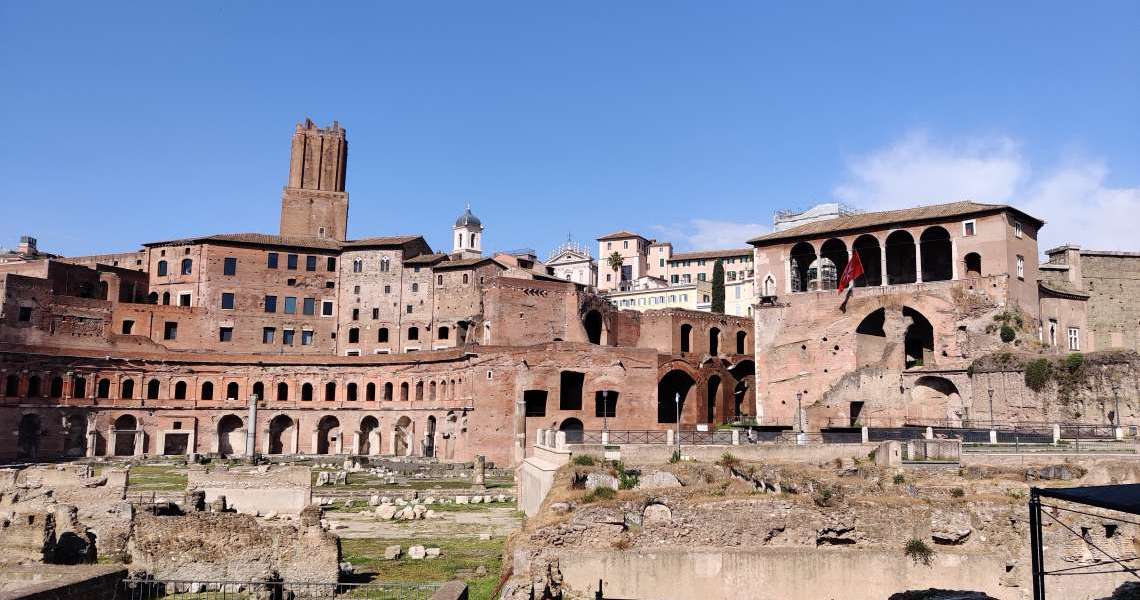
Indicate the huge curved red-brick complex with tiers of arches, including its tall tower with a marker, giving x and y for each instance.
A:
(372, 346)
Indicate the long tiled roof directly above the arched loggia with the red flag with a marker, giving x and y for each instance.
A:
(866, 221)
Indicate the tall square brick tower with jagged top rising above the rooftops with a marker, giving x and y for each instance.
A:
(315, 204)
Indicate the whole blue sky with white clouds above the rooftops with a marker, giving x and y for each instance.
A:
(688, 121)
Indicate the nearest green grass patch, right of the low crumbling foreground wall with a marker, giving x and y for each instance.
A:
(460, 557)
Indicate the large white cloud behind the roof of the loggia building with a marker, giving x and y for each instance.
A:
(1074, 199)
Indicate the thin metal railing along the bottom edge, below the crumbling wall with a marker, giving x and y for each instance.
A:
(142, 589)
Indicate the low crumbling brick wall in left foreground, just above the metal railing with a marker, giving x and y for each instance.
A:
(221, 546)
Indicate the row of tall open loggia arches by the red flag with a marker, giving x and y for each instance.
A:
(900, 260)
